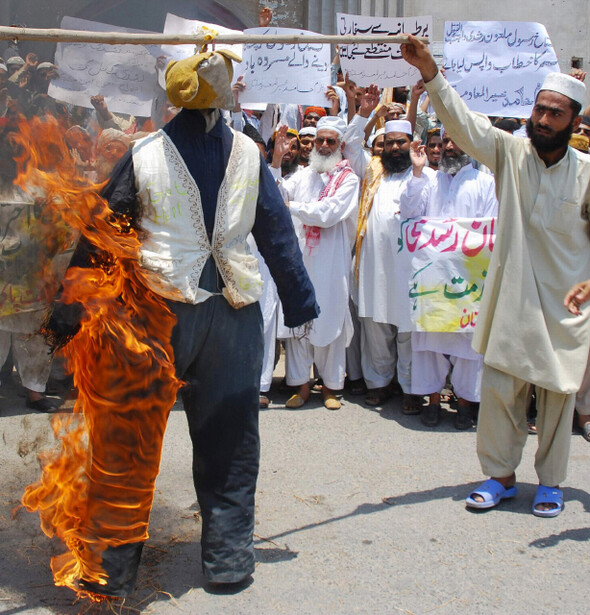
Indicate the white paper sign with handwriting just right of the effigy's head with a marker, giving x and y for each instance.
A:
(282, 73)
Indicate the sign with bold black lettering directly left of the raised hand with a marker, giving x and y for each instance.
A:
(379, 63)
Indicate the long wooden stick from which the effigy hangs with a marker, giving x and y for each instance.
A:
(112, 38)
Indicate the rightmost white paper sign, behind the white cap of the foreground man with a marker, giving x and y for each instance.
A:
(497, 67)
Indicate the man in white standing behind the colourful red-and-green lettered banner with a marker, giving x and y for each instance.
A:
(457, 190)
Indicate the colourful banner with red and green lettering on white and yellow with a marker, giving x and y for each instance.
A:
(447, 261)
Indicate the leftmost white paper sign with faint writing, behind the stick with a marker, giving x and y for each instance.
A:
(124, 74)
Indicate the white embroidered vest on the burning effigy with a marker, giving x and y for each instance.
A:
(176, 246)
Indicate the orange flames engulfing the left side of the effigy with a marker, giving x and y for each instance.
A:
(97, 489)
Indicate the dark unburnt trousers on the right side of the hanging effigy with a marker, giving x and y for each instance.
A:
(218, 352)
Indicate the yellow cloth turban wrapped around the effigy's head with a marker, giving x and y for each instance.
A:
(202, 81)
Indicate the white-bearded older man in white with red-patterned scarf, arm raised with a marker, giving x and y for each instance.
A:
(322, 199)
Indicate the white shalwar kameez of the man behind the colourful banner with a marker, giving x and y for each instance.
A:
(468, 194)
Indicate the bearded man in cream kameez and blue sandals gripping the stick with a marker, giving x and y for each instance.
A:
(541, 250)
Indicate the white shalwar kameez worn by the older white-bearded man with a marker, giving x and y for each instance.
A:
(327, 258)
